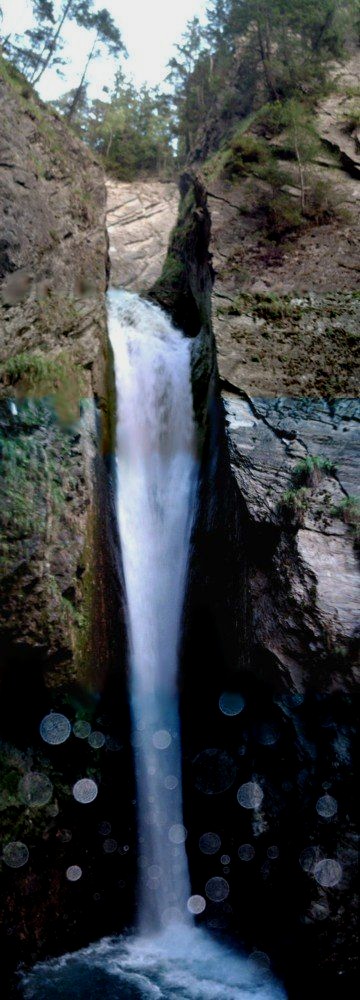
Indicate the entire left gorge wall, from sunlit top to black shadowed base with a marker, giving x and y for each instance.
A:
(60, 593)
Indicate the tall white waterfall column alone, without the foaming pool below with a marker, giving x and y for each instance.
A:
(156, 486)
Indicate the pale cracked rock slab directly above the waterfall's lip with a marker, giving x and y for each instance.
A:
(140, 217)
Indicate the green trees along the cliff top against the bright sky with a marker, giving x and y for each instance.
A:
(247, 56)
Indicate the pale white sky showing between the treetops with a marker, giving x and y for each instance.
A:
(149, 29)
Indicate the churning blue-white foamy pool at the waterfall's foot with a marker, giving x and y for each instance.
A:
(182, 963)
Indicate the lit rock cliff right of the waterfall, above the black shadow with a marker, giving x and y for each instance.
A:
(286, 315)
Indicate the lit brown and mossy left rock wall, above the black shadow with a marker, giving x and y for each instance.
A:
(52, 381)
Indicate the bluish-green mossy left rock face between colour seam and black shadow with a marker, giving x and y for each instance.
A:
(45, 491)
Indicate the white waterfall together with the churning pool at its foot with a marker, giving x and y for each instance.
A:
(168, 958)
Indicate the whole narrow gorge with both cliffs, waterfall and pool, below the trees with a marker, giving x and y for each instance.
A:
(178, 707)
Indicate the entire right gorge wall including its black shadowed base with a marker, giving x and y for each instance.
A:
(272, 612)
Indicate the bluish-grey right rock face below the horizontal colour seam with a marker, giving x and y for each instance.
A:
(295, 463)
